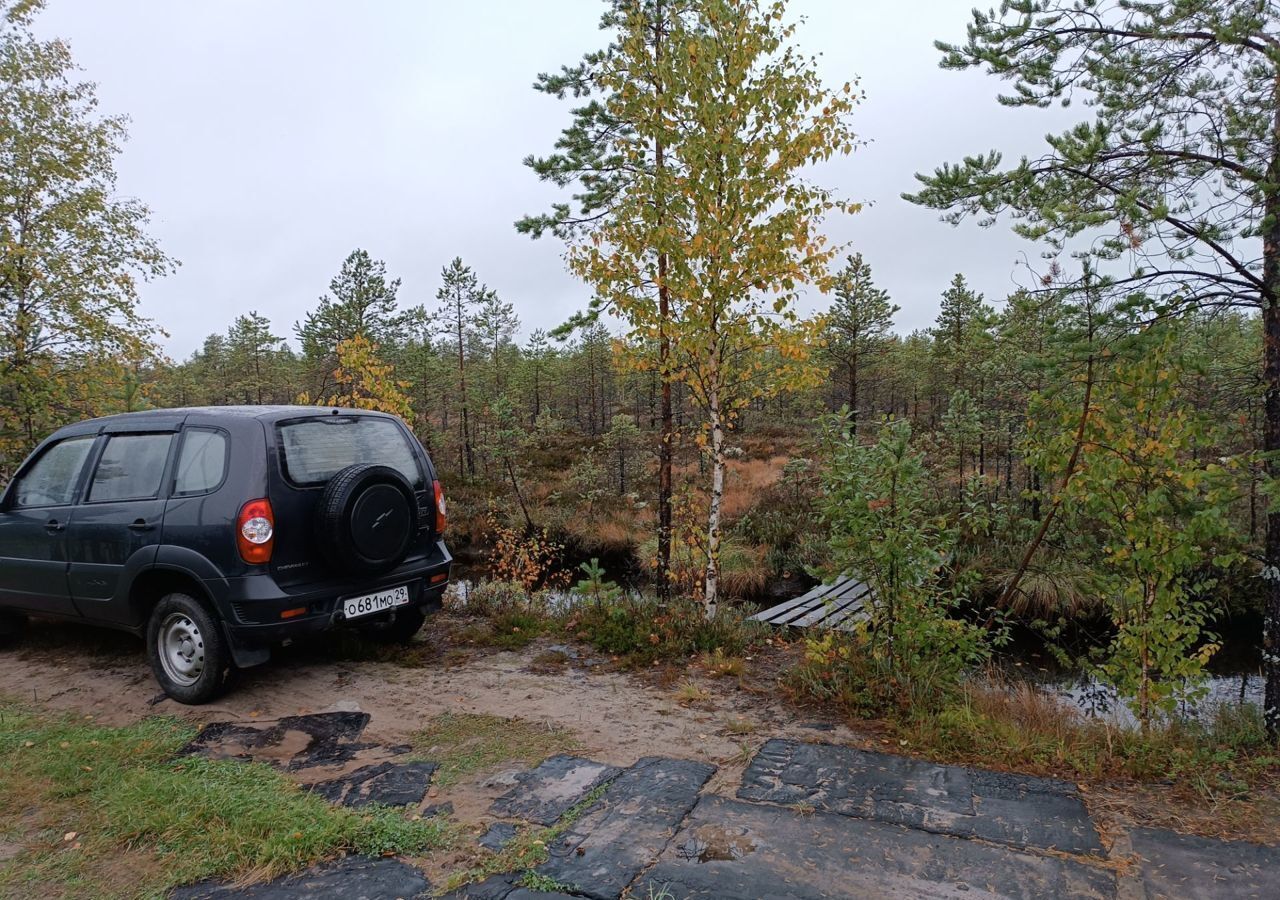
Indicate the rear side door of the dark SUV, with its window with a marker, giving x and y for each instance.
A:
(116, 529)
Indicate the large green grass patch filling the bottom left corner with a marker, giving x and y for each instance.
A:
(112, 814)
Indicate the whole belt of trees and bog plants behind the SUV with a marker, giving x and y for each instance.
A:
(1091, 455)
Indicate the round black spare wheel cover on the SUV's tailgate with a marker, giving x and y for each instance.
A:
(367, 519)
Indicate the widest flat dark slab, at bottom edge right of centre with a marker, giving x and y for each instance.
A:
(734, 851)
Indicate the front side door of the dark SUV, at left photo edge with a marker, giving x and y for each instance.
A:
(34, 528)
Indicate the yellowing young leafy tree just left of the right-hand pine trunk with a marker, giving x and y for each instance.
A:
(1162, 513)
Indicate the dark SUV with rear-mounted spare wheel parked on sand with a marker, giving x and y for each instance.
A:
(217, 533)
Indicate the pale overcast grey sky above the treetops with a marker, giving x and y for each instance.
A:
(273, 138)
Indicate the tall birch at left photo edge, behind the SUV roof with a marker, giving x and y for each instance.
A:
(72, 250)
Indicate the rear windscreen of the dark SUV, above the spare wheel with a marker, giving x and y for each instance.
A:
(316, 450)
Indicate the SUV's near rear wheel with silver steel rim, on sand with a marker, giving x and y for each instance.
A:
(188, 652)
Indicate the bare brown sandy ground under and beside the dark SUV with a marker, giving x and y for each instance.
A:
(619, 718)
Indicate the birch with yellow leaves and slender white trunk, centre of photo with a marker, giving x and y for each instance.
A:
(742, 115)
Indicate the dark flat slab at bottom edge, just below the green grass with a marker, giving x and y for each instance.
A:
(351, 879)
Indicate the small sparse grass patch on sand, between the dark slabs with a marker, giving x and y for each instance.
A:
(467, 743)
